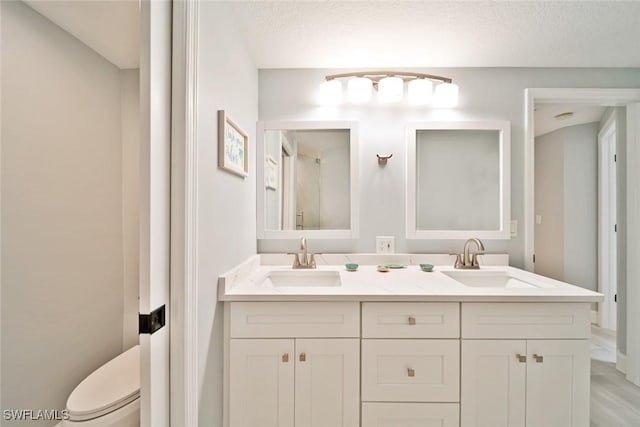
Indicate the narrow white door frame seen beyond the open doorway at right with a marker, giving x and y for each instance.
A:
(607, 214)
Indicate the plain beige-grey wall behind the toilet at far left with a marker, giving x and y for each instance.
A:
(62, 249)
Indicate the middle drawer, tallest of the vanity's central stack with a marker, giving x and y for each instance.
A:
(410, 370)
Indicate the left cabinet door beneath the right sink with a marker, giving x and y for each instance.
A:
(493, 383)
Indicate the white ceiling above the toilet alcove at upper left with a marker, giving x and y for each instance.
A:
(110, 27)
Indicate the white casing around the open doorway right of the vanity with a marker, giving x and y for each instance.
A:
(609, 97)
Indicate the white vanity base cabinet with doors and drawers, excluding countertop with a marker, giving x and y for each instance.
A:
(407, 364)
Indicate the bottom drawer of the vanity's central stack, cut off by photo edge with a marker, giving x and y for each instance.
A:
(410, 414)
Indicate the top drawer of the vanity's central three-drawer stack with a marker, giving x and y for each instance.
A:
(410, 320)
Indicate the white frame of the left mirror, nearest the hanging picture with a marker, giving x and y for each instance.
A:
(354, 190)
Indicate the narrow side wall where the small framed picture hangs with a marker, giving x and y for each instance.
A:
(228, 80)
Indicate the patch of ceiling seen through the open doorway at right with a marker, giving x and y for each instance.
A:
(545, 121)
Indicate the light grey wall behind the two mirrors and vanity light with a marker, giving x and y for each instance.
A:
(485, 93)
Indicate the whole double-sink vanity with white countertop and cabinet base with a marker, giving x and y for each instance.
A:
(494, 347)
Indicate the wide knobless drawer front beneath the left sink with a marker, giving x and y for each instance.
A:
(295, 319)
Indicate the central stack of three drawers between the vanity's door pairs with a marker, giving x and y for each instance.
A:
(410, 364)
